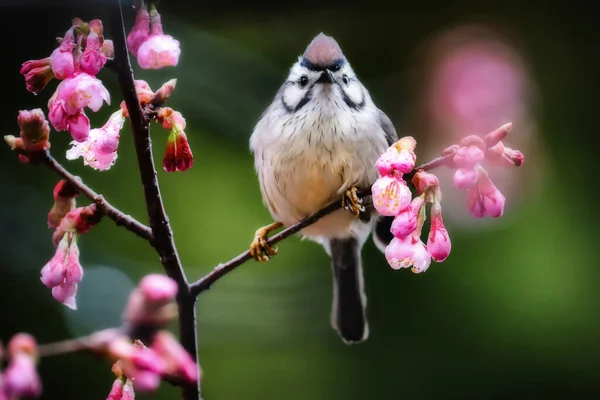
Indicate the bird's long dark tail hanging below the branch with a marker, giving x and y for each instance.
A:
(348, 313)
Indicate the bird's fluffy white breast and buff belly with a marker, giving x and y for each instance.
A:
(308, 159)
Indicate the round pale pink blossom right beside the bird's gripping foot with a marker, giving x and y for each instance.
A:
(390, 195)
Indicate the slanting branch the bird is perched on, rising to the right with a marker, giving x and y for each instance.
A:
(221, 270)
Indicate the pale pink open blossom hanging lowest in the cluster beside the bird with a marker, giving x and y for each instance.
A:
(410, 251)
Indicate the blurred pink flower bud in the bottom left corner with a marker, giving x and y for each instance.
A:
(20, 378)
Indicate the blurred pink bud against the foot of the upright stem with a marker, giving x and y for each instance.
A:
(179, 363)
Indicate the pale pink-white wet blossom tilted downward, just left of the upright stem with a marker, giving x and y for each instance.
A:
(99, 150)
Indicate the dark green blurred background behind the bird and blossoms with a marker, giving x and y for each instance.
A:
(514, 312)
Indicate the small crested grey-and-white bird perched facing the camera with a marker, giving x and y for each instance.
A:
(316, 143)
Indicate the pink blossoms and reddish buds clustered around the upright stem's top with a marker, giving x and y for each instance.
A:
(81, 55)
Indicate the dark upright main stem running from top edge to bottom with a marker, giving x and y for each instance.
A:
(159, 223)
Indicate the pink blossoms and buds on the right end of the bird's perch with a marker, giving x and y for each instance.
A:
(392, 196)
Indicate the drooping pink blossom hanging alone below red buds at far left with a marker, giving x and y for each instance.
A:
(64, 271)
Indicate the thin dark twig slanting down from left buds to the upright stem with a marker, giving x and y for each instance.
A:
(118, 216)
